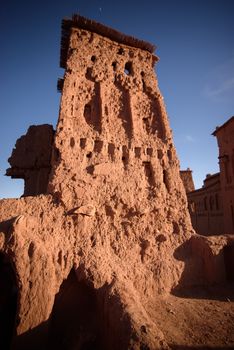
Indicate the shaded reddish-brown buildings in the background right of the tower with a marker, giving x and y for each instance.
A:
(212, 206)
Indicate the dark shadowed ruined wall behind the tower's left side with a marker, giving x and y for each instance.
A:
(30, 159)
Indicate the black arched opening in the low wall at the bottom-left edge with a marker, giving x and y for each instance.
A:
(8, 302)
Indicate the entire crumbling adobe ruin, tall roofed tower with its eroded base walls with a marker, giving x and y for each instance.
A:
(103, 225)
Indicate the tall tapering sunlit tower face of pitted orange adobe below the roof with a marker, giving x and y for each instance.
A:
(114, 157)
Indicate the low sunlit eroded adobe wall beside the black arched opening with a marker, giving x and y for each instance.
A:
(30, 235)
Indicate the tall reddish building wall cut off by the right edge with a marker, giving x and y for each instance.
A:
(225, 139)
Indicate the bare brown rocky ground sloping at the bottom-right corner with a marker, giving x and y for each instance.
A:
(197, 319)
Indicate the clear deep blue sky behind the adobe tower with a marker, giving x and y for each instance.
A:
(195, 43)
